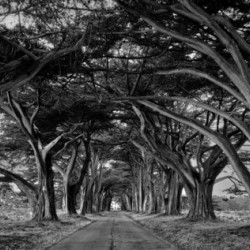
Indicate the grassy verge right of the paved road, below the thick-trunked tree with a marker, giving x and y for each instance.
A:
(199, 235)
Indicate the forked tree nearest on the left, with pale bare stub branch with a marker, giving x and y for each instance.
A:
(46, 201)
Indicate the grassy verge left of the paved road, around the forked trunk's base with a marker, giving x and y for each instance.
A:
(17, 231)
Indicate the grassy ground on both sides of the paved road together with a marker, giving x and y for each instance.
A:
(231, 231)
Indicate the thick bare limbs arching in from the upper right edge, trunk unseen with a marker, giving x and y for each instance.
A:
(229, 52)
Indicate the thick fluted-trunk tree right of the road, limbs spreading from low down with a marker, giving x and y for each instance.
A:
(191, 180)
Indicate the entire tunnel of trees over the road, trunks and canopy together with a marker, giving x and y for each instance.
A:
(161, 89)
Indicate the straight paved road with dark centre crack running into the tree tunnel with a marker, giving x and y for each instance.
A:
(114, 231)
